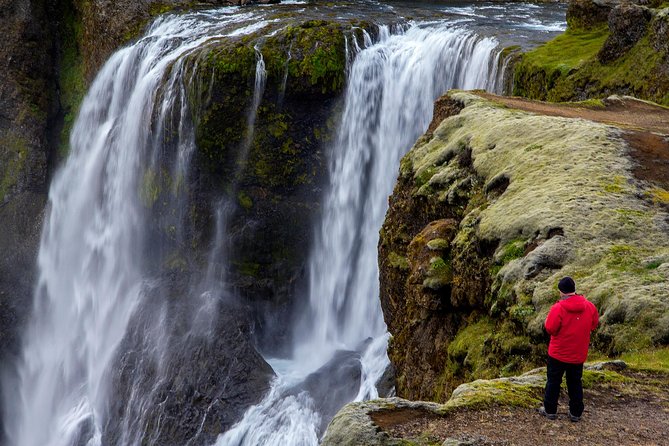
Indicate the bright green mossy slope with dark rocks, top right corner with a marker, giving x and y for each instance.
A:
(608, 48)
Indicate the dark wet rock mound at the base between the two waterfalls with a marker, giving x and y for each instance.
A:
(197, 382)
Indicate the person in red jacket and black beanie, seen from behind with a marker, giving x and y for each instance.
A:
(569, 323)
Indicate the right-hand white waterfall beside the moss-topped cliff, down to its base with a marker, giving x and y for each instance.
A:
(340, 342)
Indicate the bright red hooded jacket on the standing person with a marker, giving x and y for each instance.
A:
(569, 322)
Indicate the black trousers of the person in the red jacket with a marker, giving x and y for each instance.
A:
(554, 372)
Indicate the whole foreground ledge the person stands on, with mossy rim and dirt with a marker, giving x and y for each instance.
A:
(624, 403)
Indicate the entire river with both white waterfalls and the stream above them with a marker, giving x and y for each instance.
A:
(92, 267)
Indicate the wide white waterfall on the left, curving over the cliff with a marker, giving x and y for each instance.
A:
(92, 274)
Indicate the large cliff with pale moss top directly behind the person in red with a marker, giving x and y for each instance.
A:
(492, 206)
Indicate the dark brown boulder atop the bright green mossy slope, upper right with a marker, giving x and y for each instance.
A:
(627, 24)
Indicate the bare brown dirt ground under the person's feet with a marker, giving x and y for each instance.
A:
(624, 414)
